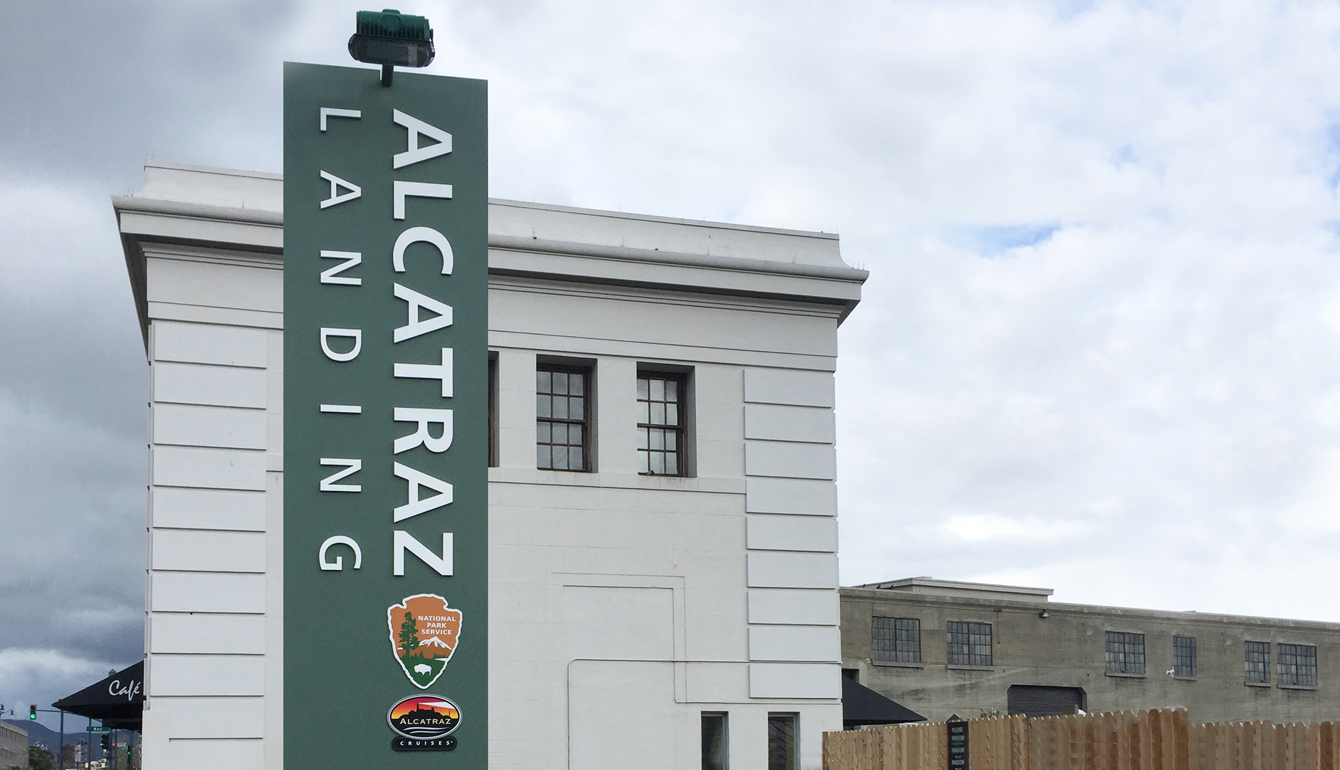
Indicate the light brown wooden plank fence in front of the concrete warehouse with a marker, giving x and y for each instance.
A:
(1161, 740)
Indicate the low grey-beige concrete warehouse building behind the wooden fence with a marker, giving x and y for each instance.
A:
(944, 647)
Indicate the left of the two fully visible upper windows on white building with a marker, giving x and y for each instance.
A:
(563, 418)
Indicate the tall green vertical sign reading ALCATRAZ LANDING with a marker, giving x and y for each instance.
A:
(385, 420)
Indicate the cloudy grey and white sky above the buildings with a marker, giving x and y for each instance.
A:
(1099, 350)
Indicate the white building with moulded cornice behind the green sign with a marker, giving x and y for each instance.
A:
(628, 611)
